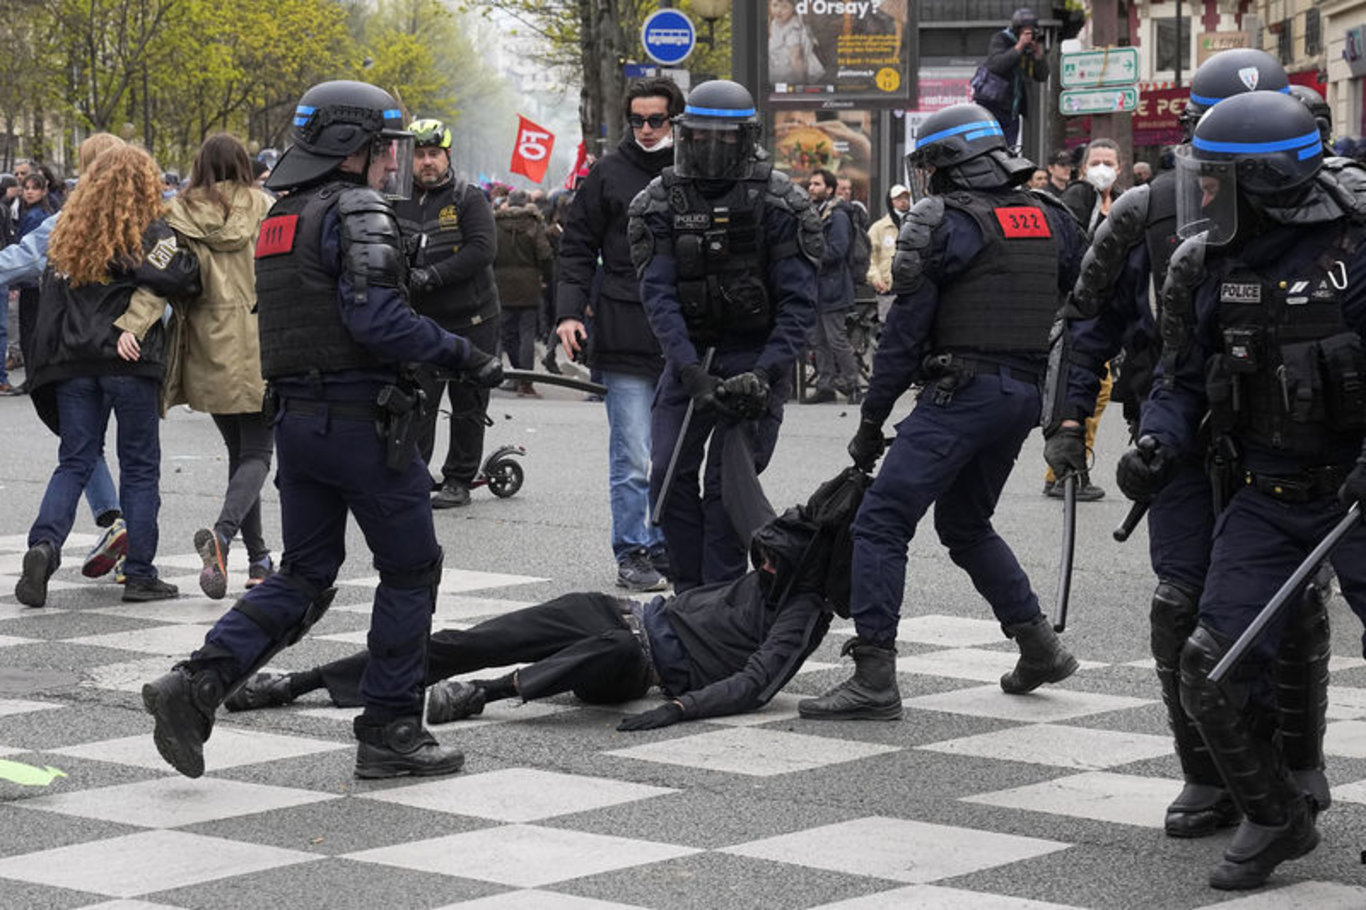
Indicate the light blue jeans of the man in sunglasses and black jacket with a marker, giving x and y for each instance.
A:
(629, 400)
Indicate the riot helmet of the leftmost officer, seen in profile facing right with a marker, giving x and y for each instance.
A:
(333, 122)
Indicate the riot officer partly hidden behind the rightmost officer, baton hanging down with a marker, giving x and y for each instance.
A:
(1111, 311)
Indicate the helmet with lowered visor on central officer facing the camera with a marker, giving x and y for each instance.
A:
(718, 133)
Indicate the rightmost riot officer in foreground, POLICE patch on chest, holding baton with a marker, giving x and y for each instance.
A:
(1263, 319)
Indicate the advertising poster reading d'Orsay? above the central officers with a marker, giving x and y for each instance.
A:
(842, 54)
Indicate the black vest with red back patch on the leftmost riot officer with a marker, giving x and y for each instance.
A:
(297, 299)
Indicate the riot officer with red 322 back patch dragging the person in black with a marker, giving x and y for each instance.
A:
(981, 366)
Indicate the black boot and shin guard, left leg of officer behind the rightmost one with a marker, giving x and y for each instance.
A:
(1204, 805)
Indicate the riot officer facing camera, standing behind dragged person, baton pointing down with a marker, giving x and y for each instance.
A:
(726, 249)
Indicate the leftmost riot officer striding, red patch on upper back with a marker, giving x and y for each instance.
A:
(335, 329)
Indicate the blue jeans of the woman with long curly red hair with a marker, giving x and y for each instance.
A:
(84, 405)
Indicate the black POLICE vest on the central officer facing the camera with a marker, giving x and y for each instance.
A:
(722, 262)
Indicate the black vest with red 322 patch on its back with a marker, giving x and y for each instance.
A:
(1009, 299)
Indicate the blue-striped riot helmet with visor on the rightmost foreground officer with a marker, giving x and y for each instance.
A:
(1260, 147)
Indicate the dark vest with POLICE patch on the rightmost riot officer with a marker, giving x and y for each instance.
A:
(1289, 374)
